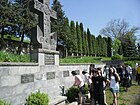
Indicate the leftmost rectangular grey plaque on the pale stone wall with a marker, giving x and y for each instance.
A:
(26, 78)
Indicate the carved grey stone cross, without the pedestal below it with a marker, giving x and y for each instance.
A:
(44, 37)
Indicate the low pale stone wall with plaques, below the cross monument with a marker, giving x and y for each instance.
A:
(18, 80)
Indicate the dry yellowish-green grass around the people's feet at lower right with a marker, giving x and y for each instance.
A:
(131, 97)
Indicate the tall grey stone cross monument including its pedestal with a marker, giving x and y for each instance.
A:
(44, 42)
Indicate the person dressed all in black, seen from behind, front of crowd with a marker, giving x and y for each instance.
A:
(98, 87)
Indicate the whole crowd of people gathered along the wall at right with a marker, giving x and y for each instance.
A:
(110, 76)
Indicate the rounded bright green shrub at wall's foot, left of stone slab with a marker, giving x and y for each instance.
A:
(37, 99)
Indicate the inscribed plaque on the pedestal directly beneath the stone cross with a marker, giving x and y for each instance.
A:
(49, 59)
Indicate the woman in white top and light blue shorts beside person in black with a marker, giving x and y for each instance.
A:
(114, 84)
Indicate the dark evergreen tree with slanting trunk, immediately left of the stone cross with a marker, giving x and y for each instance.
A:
(24, 16)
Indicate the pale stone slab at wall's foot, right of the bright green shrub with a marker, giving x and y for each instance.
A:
(60, 100)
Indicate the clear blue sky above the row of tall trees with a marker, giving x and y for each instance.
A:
(95, 14)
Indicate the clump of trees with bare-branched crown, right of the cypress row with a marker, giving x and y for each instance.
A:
(123, 36)
